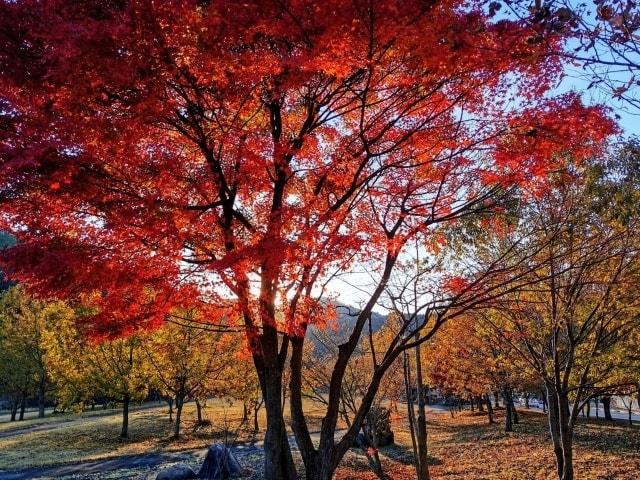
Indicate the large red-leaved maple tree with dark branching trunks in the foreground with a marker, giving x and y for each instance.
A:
(236, 156)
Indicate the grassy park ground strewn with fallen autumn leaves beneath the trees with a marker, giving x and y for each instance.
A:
(461, 447)
